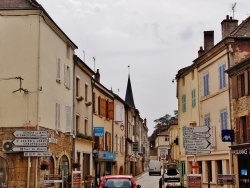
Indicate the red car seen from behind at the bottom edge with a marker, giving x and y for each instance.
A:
(118, 181)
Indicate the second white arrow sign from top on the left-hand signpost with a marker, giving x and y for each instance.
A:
(30, 142)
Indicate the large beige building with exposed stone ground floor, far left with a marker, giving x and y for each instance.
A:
(36, 98)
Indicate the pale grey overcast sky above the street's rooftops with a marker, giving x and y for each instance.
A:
(155, 38)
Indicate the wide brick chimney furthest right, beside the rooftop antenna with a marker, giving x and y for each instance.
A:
(227, 26)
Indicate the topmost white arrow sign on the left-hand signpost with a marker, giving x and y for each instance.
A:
(30, 134)
